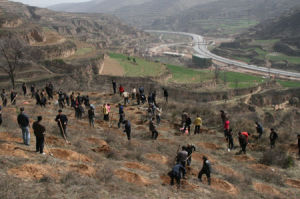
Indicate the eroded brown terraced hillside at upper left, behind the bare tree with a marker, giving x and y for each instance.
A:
(56, 42)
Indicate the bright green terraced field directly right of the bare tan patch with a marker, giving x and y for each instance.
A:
(141, 68)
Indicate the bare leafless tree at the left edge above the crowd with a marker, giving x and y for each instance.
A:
(10, 56)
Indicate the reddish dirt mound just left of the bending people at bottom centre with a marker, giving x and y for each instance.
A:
(132, 177)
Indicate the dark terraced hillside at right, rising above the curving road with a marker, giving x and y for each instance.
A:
(274, 43)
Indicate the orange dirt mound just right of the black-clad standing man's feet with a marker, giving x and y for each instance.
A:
(69, 155)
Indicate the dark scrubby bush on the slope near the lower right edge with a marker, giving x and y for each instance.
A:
(277, 157)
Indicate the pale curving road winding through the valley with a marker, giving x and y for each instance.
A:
(200, 47)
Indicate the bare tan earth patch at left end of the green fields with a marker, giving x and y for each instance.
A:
(111, 67)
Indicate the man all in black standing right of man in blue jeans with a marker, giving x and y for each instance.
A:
(39, 132)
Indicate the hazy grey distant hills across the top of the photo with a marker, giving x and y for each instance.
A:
(211, 17)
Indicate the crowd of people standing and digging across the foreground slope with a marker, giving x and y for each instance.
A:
(183, 157)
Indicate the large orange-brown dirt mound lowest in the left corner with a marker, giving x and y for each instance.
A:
(33, 172)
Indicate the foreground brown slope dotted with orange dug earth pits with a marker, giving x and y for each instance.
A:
(100, 162)
